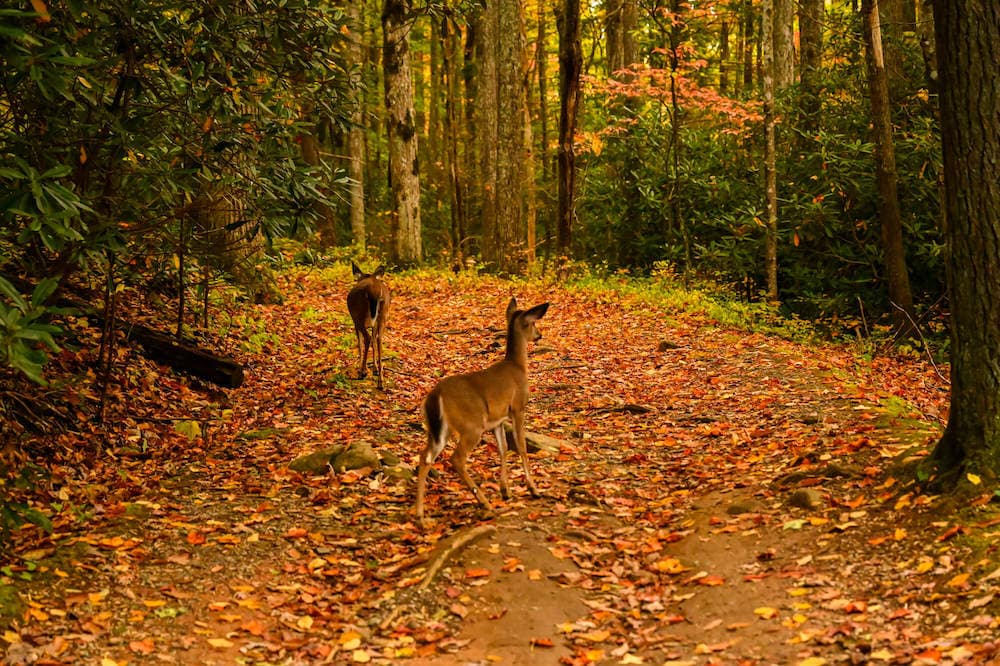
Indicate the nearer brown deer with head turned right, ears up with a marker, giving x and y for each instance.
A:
(469, 405)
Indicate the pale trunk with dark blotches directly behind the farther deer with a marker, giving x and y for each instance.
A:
(404, 176)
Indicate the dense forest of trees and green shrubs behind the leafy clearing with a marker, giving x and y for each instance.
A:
(155, 144)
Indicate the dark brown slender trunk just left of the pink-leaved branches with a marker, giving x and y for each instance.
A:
(570, 66)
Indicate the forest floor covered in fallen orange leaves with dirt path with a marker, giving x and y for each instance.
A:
(713, 497)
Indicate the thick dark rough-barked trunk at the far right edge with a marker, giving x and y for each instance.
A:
(968, 46)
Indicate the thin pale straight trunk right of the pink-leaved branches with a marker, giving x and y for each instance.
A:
(770, 176)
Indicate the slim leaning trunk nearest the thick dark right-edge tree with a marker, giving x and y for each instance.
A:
(885, 171)
